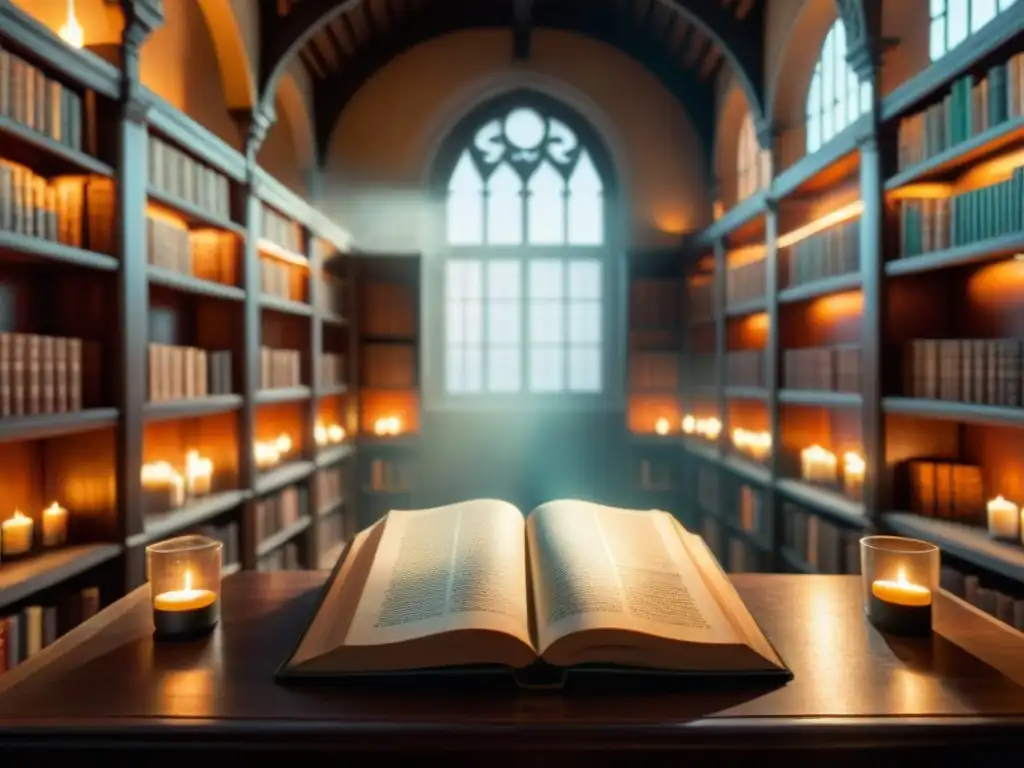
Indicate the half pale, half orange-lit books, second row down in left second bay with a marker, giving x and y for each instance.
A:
(207, 254)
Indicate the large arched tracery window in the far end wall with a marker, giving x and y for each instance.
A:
(526, 257)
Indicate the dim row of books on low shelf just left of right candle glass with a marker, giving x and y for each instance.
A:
(819, 543)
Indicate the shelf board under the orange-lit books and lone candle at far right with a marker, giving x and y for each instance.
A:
(970, 544)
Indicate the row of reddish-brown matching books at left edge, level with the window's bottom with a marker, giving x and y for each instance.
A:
(48, 375)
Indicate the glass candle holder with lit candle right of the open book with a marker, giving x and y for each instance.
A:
(901, 580)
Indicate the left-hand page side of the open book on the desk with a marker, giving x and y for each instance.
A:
(461, 567)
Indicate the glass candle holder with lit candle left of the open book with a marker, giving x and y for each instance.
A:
(185, 582)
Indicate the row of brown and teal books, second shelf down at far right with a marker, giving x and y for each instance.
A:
(934, 225)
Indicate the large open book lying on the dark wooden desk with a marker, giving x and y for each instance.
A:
(579, 585)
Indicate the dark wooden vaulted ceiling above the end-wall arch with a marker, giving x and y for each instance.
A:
(685, 44)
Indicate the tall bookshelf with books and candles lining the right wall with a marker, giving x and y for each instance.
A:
(892, 285)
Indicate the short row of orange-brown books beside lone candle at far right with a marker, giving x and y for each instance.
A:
(946, 490)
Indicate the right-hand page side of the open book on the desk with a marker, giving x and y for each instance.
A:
(603, 568)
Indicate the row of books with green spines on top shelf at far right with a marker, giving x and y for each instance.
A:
(969, 109)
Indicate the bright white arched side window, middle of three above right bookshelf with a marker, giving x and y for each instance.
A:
(837, 98)
